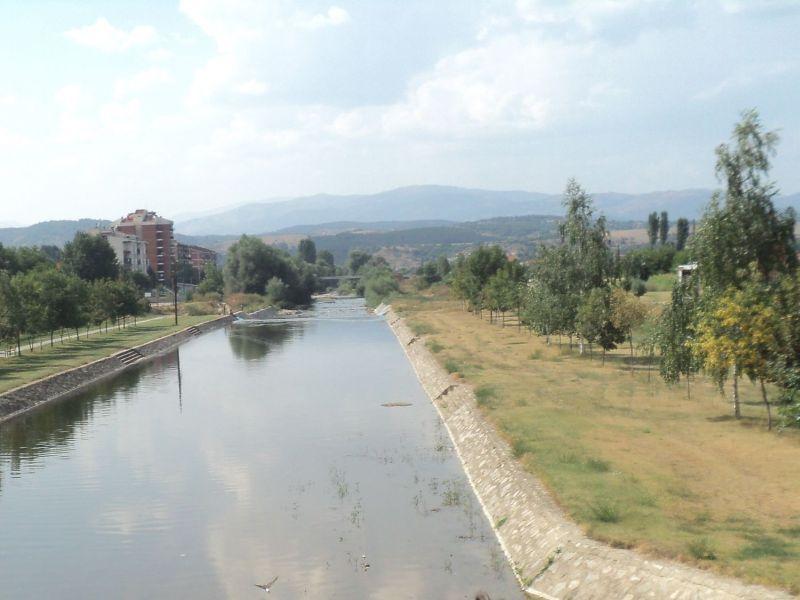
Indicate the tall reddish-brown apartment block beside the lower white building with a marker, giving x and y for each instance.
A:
(157, 232)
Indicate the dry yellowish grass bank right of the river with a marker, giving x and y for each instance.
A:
(631, 459)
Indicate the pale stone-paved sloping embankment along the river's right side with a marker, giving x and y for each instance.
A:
(551, 555)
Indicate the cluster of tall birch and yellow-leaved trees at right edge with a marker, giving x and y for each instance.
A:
(737, 316)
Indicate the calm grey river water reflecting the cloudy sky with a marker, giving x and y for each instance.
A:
(251, 452)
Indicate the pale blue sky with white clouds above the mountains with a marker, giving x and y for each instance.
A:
(184, 106)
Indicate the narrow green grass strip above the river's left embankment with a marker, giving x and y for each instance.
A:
(19, 370)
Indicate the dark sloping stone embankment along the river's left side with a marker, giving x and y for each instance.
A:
(27, 397)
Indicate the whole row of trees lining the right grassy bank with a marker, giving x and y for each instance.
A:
(737, 316)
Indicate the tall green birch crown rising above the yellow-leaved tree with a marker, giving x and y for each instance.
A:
(741, 225)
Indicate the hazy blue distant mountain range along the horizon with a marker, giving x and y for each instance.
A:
(426, 206)
